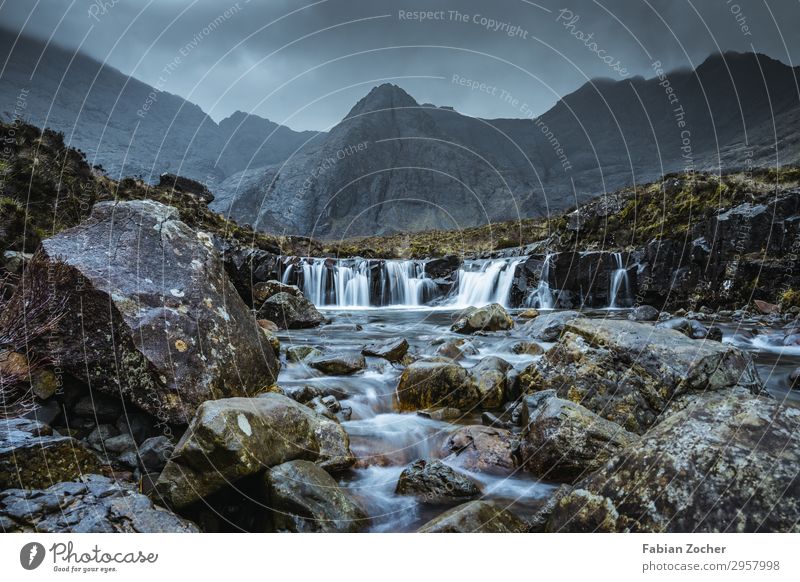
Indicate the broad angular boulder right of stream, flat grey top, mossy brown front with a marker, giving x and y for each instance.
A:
(629, 372)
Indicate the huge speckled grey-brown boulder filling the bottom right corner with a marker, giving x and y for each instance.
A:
(725, 463)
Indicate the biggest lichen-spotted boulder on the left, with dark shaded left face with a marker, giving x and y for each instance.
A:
(148, 312)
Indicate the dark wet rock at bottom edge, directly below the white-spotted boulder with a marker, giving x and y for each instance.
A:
(304, 498)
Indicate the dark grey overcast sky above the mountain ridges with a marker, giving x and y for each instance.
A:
(305, 63)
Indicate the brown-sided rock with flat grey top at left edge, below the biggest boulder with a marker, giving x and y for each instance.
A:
(32, 457)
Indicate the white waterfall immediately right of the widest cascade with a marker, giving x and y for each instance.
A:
(484, 282)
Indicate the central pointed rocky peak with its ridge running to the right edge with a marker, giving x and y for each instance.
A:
(424, 167)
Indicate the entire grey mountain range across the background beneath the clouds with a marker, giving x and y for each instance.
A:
(394, 165)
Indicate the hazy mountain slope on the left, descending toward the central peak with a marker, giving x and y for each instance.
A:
(129, 127)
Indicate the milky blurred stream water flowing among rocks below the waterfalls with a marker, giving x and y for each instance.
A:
(385, 441)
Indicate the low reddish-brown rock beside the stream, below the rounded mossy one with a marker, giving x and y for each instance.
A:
(483, 449)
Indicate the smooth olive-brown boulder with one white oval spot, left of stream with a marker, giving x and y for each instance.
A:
(232, 438)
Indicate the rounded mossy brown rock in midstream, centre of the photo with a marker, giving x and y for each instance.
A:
(434, 384)
